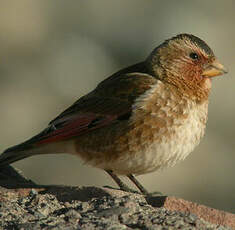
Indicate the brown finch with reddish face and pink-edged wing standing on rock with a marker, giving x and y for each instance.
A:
(143, 118)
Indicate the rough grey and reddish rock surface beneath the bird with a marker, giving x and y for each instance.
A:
(25, 205)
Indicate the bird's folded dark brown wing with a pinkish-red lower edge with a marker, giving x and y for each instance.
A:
(110, 102)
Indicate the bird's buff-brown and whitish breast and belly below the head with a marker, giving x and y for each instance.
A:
(163, 129)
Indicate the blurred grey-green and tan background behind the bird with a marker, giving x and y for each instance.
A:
(53, 52)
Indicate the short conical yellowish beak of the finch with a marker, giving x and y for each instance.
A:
(214, 69)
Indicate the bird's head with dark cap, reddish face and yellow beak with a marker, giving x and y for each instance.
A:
(186, 62)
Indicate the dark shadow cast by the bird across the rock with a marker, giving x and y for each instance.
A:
(11, 178)
